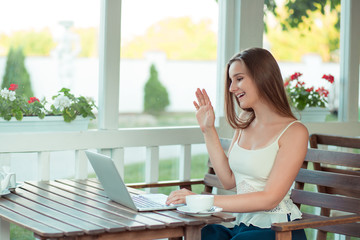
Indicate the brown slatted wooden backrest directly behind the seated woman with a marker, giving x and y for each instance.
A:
(337, 190)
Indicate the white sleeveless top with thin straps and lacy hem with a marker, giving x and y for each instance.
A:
(251, 169)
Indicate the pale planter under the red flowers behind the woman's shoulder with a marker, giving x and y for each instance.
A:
(312, 114)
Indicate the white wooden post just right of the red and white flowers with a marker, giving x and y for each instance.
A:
(109, 64)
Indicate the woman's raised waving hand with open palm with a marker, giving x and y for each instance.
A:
(204, 111)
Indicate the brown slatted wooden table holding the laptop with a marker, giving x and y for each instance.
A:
(79, 209)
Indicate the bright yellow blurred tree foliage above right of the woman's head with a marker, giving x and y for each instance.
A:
(321, 38)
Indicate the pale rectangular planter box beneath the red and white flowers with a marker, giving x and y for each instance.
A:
(48, 124)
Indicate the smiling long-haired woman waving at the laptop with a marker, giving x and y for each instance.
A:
(266, 153)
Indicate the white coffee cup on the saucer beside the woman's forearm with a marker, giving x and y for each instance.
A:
(199, 202)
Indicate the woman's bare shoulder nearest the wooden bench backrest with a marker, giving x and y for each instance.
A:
(297, 133)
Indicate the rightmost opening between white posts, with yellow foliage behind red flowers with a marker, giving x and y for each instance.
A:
(309, 46)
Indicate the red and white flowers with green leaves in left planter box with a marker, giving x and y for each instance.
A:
(64, 106)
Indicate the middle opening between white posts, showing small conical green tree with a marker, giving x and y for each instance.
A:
(174, 44)
